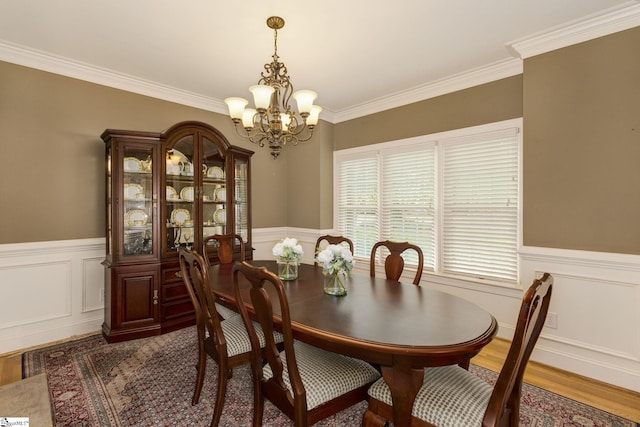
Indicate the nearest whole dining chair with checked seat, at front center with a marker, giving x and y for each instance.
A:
(306, 383)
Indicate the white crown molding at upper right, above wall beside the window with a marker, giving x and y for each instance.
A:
(612, 21)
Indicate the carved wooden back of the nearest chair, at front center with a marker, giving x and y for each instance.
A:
(265, 286)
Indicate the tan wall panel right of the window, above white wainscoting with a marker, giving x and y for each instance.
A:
(582, 146)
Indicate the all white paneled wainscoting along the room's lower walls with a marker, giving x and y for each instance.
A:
(53, 290)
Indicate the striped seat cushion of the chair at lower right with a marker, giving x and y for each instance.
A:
(450, 397)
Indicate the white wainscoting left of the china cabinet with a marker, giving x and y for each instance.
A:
(50, 291)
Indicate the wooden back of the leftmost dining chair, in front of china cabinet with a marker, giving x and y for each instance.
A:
(195, 274)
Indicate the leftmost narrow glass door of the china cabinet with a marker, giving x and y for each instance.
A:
(137, 200)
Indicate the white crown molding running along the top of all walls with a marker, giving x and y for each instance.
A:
(614, 20)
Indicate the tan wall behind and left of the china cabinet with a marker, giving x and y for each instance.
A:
(52, 157)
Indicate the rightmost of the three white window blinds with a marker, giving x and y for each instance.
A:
(480, 205)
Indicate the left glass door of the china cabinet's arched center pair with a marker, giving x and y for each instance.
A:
(181, 193)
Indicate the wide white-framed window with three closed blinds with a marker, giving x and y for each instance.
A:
(456, 195)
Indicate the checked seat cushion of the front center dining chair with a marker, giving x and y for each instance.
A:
(325, 375)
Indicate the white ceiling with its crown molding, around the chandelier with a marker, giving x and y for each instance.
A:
(354, 53)
